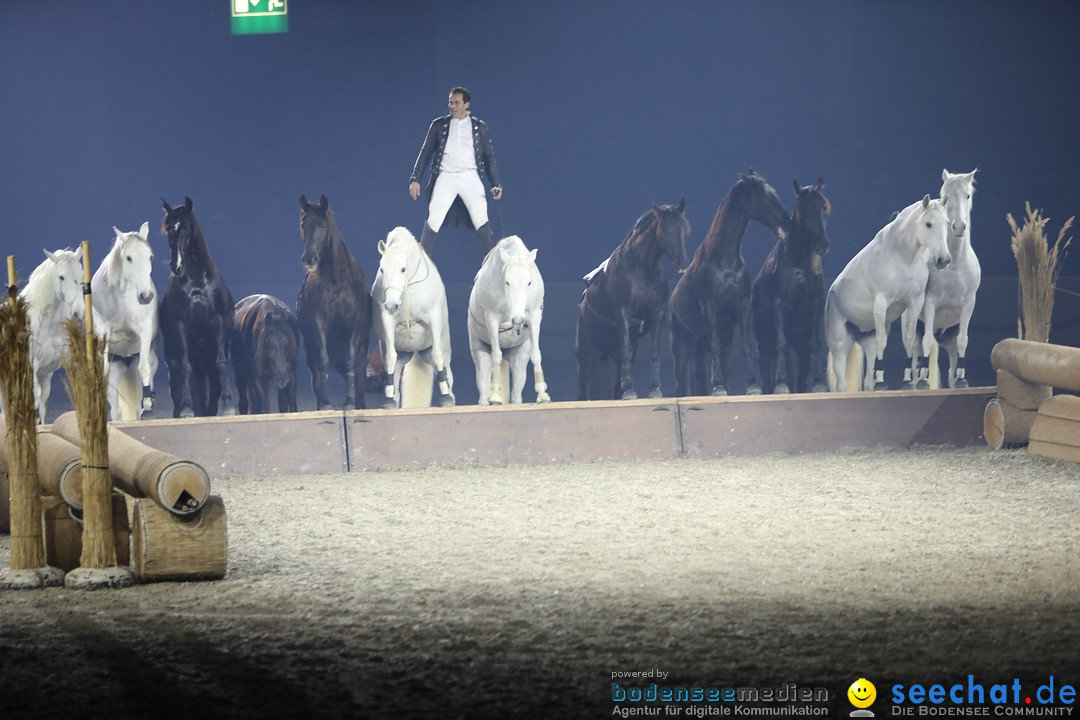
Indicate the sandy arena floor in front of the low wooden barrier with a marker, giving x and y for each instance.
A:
(520, 592)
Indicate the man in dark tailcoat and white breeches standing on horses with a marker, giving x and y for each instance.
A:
(460, 150)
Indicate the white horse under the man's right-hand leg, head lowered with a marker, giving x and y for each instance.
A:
(506, 308)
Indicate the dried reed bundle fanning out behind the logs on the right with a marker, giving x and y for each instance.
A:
(1039, 265)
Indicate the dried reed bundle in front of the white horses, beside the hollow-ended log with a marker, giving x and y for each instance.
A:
(87, 386)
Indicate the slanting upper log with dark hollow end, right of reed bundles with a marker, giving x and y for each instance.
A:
(180, 486)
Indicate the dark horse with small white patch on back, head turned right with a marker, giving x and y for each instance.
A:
(627, 298)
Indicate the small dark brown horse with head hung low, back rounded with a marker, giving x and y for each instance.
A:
(265, 344)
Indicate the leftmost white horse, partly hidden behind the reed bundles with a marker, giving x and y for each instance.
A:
(53, 295)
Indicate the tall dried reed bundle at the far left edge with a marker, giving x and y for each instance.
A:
(17, 383)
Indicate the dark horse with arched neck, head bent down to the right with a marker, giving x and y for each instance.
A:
(713, 296)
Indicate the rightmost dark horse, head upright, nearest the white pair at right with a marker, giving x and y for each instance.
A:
(789, 297)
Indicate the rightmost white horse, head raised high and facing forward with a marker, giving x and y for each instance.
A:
(951, 292)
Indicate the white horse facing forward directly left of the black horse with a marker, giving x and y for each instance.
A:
(126, 315)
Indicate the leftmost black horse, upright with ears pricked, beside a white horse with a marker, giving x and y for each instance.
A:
(196, 317)
